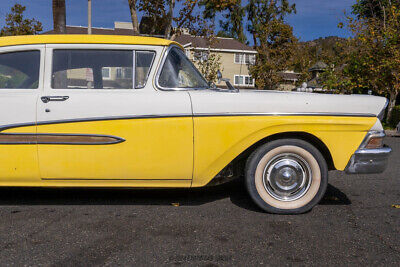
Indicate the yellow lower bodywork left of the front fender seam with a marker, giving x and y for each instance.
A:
(154, 149)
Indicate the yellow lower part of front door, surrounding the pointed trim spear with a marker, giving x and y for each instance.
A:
(154, 149)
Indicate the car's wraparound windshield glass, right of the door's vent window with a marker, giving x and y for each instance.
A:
(179, 72)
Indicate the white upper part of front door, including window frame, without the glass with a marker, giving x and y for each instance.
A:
(95, 103)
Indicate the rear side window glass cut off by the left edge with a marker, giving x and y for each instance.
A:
(19, 70)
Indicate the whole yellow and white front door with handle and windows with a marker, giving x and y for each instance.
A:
(99, 117)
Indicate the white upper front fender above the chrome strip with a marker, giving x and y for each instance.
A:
(257, 101)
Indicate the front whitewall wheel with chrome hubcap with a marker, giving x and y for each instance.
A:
(286, 176)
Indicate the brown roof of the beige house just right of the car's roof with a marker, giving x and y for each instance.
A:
(219, 43)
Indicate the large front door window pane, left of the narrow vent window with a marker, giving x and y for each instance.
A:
(92, 69)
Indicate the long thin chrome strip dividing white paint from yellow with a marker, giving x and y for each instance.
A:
(133, 117)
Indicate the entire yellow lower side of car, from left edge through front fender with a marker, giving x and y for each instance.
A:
(159, 152)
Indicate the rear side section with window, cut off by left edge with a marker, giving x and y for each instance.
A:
(21, 69)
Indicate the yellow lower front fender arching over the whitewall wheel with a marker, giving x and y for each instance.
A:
(218, 140)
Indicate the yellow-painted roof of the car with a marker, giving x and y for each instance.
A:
(83, 39)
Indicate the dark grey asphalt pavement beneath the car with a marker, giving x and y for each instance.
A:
(357, 223)
